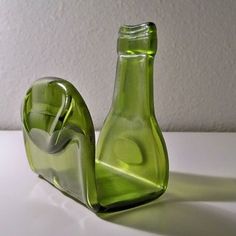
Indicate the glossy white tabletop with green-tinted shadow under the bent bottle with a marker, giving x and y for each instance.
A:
(200, 200)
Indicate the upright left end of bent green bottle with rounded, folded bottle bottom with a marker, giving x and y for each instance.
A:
(59, 138)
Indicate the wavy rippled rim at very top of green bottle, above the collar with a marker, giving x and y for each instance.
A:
(138, 31)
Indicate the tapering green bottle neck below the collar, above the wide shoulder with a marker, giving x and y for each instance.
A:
(134, 85)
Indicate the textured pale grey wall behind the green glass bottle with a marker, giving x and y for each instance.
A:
(195, 69)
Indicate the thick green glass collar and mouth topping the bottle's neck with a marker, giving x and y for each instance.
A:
(137, 39)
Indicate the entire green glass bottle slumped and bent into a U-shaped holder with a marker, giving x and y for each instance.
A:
(131, 165)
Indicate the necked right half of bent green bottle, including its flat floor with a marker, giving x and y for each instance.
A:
(131, 156)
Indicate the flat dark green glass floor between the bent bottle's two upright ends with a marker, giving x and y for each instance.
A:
(118, 190)
